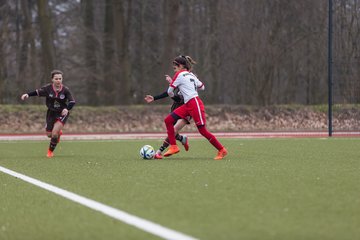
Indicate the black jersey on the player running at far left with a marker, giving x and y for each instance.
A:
(56, 101)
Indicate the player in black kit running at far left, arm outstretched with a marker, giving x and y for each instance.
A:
(59, 102)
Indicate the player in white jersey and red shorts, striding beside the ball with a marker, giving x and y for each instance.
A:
(188, 85)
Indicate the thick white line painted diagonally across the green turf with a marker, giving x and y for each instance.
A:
(127, 218)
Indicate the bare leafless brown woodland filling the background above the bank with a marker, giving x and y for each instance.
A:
(248, 51)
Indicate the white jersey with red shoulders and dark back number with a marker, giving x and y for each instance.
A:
(187, 83)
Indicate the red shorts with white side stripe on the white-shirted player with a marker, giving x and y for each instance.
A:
(194, 108)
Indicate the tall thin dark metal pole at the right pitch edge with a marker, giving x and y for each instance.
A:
(330, 69)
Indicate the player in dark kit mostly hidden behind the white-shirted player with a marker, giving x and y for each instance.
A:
(178, 101)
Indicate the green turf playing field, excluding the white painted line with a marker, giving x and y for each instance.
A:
(265, 189)
